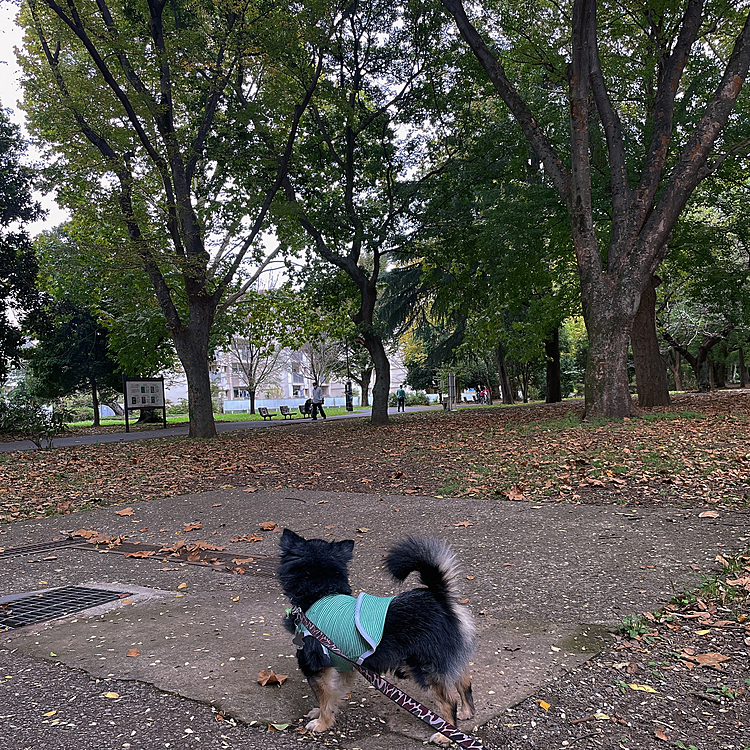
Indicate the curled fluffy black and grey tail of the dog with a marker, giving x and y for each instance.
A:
(432, 559)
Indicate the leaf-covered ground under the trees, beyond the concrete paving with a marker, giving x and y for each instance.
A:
(693, 452)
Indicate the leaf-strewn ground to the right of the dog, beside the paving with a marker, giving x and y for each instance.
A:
(675, 678)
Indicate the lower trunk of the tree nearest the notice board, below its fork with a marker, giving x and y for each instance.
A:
(191, 344)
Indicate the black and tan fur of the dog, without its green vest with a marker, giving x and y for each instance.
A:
(427, 635)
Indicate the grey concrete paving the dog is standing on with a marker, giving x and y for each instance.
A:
(543, 581)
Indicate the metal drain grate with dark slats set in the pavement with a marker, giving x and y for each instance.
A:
(28, 609)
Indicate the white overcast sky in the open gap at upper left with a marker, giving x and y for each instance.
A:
(10, 93)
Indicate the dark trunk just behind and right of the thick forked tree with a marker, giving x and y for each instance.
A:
(650, 370)
